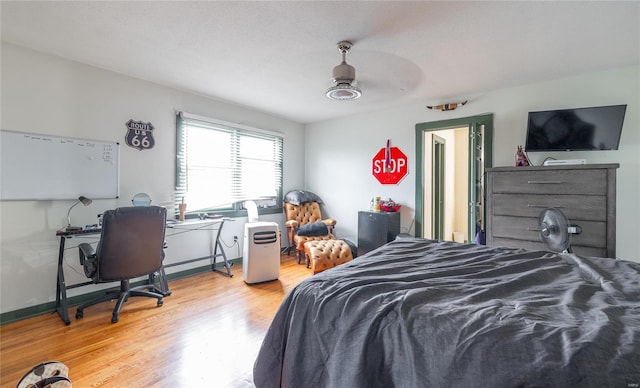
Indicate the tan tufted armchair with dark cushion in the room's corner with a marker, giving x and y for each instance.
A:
(302, 209)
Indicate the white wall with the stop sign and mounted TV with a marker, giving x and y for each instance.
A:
(338, 152)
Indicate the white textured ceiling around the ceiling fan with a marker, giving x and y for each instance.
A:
(278, 56)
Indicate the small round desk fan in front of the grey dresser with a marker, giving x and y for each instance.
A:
(556, 231)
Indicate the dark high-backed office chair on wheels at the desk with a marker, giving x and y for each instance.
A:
(131, 245)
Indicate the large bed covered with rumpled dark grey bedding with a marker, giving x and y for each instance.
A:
(425, 313)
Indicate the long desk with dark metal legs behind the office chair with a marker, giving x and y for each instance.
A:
(215, 225)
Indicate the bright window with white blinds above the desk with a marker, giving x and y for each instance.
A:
(220, 165)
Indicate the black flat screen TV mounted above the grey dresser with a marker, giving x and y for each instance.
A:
(579, 129)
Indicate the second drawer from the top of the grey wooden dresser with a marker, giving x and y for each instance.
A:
(574, 207)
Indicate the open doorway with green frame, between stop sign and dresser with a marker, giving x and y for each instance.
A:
(451, 157)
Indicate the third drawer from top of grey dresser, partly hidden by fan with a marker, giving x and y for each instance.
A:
(526, 228)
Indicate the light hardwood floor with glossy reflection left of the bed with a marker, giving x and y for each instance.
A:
(207, 334)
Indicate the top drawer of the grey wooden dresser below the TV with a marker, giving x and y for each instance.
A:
(584, 182)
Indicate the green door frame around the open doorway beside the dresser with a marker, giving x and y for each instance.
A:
(480, 158)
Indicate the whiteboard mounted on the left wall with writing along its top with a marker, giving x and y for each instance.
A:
(45, 167)
